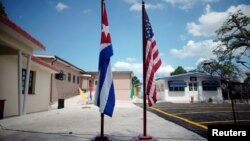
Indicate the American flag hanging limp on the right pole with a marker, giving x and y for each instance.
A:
(152, 61)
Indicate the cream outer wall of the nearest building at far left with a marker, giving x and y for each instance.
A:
(9, 86)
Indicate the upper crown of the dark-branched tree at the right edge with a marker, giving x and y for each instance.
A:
(233, 37)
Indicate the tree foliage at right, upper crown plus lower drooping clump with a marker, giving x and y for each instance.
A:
(233, 39)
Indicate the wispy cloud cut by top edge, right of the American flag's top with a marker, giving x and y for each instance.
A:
(187, 4)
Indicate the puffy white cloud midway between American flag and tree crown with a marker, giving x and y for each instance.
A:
(193, 49)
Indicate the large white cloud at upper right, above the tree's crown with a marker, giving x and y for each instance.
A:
(210, 21)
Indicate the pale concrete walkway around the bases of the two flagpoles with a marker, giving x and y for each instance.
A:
(78, 122)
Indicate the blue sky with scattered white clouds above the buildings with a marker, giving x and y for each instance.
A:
(71, 29)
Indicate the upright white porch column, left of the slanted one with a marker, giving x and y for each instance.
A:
(19, 74)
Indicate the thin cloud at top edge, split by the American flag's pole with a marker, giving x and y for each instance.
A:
(136, 5)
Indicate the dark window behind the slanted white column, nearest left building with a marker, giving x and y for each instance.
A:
(31, 87)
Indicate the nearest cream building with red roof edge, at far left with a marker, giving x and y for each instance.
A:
(25, 79)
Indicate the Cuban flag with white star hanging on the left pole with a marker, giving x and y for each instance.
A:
(105, 94)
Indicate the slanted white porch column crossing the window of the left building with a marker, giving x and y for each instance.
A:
(26, 83)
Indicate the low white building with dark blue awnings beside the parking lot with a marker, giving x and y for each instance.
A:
(188, 87)
